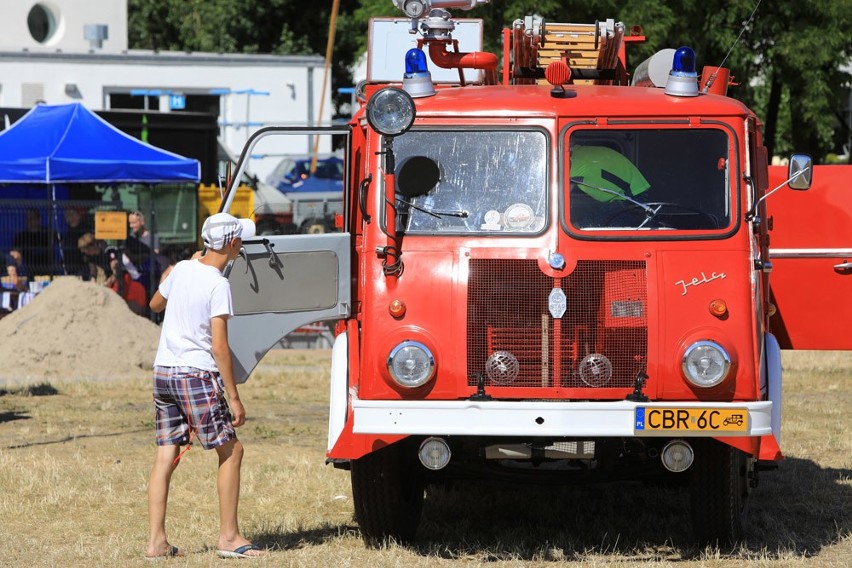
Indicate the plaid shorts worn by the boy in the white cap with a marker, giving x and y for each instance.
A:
(188, 399)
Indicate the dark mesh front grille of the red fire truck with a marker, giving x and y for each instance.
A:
(600, 341)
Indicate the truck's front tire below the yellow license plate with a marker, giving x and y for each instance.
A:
(719, 488)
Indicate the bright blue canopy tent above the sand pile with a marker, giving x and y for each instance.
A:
(58, 145)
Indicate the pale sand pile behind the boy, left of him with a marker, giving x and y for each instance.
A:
(76, 330)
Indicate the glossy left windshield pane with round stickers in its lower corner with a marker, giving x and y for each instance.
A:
(485, 181)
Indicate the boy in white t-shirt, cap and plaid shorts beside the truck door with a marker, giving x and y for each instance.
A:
(193, 372)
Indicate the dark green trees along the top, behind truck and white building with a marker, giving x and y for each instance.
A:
(791, 61)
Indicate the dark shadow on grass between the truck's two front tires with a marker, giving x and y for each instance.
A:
(504, 522)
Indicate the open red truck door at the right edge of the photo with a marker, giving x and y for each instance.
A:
(811, 252)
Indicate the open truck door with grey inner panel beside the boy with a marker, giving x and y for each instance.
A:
(282, 282)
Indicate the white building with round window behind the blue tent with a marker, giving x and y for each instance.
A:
(76, 50)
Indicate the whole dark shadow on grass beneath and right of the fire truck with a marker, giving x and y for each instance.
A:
(795, 511)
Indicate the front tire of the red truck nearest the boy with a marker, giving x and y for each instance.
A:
(387, 491)
